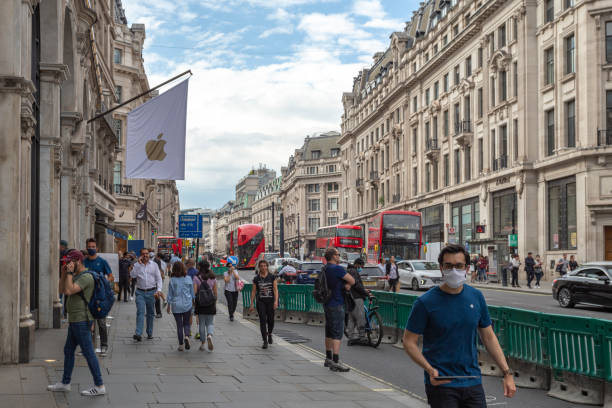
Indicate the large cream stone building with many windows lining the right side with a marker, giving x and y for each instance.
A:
(489, 114)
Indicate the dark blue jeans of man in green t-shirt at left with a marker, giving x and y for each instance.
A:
(79, 334)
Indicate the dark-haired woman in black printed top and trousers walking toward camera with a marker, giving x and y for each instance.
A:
(265, 291)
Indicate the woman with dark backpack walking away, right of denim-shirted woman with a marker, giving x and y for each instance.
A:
(205, 285)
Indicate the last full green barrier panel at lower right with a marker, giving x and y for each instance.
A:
(573, 345)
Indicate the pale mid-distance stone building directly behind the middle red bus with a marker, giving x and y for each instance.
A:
(311, 191)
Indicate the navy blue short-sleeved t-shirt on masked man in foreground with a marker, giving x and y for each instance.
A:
(449, 325)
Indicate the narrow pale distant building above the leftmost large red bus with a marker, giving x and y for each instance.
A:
(265, 211)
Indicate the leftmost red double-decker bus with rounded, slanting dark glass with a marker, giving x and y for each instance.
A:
(246, 242)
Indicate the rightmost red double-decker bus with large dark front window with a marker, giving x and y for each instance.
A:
(395, 232)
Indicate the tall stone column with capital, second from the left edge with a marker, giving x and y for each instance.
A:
(51, 75)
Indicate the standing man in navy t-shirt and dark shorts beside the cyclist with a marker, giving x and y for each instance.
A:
(338, 281)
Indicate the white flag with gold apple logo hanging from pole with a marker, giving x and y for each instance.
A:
(156, 136)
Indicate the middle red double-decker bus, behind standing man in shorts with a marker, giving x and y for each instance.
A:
(348, 239)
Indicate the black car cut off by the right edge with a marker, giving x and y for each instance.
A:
(590, 283)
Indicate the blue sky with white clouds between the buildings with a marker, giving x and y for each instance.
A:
(266, 73)
